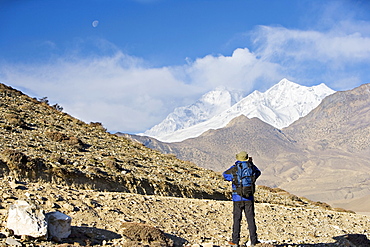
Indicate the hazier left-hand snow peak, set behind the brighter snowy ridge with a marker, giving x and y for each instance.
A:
(209, 105)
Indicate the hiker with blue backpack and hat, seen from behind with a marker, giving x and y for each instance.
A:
(242, 195)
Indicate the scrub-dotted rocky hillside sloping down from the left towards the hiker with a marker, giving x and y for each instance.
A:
(39, 142)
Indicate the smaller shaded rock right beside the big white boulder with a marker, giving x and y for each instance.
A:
(59, 225)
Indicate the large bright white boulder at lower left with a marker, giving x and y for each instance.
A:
(24, 219)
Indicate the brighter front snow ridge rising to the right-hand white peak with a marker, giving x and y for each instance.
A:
(279, 106)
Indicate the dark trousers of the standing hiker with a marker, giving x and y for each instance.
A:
(248, 208)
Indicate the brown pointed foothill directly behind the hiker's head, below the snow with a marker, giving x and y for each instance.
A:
(216, 149)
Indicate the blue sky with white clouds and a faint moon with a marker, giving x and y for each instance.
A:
(129, 63)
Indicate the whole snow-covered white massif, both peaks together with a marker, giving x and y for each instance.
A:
(279, 106)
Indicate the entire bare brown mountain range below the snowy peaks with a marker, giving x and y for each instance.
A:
(323, 156)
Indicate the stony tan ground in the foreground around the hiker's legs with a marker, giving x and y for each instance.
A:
(125, 219)
